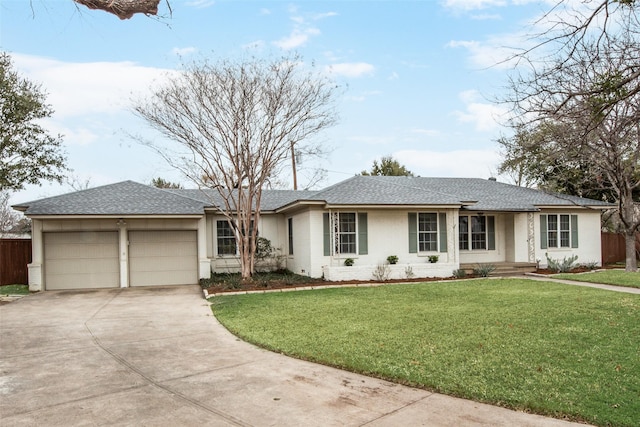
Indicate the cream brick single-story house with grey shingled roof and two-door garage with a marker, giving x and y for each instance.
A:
(129, 234)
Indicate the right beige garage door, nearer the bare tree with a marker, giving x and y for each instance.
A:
(163, 258)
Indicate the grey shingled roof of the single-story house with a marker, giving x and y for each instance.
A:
(131, 198)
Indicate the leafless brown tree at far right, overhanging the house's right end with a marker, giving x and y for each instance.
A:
(576, 102)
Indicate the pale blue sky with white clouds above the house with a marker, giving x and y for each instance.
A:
(418, 76)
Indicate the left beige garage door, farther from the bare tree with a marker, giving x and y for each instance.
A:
(81, 260)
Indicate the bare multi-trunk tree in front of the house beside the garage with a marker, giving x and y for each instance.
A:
(234, 124)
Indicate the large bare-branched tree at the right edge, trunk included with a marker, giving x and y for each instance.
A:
(589, 93)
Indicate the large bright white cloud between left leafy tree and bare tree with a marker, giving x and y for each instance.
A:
(80, 88)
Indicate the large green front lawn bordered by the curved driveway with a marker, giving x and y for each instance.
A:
(548, 348)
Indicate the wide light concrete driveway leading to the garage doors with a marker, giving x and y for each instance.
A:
(157, 357)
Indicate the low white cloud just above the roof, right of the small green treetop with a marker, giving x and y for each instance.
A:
(459, 163)
